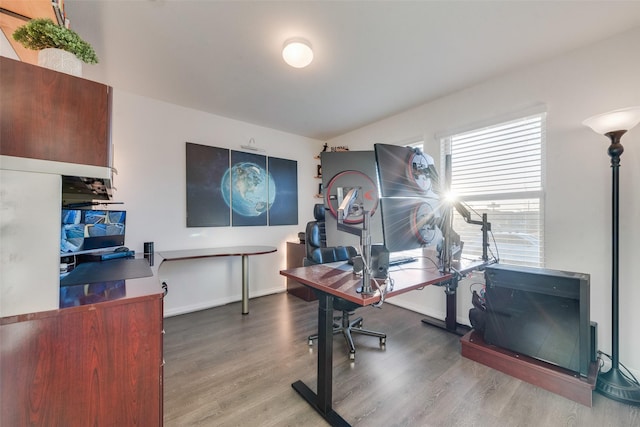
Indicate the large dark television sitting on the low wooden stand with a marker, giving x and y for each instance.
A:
(540, 313)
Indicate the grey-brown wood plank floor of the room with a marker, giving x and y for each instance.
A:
(226, 369)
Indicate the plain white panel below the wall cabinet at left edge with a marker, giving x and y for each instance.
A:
(29, 241)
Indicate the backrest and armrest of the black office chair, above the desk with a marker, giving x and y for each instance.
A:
(317, 251)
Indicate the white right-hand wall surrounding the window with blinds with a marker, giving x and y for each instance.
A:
(592, 80)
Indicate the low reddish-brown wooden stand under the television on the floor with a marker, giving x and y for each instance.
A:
(545, 375)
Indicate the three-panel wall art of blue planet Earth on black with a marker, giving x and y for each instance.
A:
(234, 188)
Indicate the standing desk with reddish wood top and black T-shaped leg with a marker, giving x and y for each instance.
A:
(337, 280)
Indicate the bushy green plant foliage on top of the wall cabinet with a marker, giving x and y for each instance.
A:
(43, 33)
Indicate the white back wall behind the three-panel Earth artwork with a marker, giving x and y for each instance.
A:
(149, 140)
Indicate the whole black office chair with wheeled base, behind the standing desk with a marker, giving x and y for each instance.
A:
(317, 252)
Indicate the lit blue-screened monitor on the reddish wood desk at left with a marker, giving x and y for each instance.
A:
(85, 231)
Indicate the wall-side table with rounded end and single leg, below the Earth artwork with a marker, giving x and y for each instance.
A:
(243, 251)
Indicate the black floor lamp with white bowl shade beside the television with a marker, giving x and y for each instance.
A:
(614, 383)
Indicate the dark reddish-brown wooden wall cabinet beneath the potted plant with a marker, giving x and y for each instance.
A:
(48, 115)
